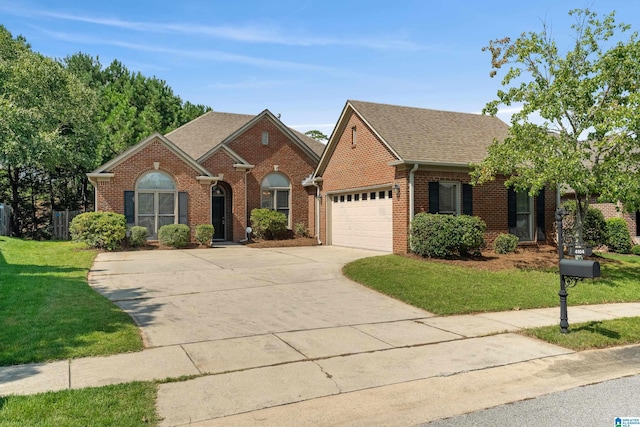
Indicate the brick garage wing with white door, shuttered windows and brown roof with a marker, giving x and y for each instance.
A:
(383, 164)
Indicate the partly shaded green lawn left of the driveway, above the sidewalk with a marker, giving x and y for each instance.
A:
(49, 312)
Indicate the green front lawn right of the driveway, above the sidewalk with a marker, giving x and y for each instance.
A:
(445, 289)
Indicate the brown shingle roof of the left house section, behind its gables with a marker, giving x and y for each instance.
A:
(200, 135)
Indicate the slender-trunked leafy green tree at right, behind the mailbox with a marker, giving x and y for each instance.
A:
(588, 100)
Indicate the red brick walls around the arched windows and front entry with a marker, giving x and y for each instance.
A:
(291, 161)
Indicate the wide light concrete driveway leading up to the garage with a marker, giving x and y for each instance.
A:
(192, 296)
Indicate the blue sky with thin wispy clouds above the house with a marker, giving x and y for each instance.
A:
(304, 58)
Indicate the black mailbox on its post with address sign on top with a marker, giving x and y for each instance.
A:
(571, 270)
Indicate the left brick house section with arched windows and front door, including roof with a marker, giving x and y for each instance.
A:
(212, 170)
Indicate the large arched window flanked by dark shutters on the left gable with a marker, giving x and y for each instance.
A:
(156, 202)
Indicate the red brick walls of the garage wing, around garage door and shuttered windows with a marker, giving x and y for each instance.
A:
(366, 164)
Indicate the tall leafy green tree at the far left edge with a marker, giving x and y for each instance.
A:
(48, 128)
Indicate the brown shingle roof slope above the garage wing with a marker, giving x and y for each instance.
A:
(424, 135)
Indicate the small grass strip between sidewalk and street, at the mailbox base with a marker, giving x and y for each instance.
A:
(591, 335)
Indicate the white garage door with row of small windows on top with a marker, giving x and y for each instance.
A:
(363, 220)
